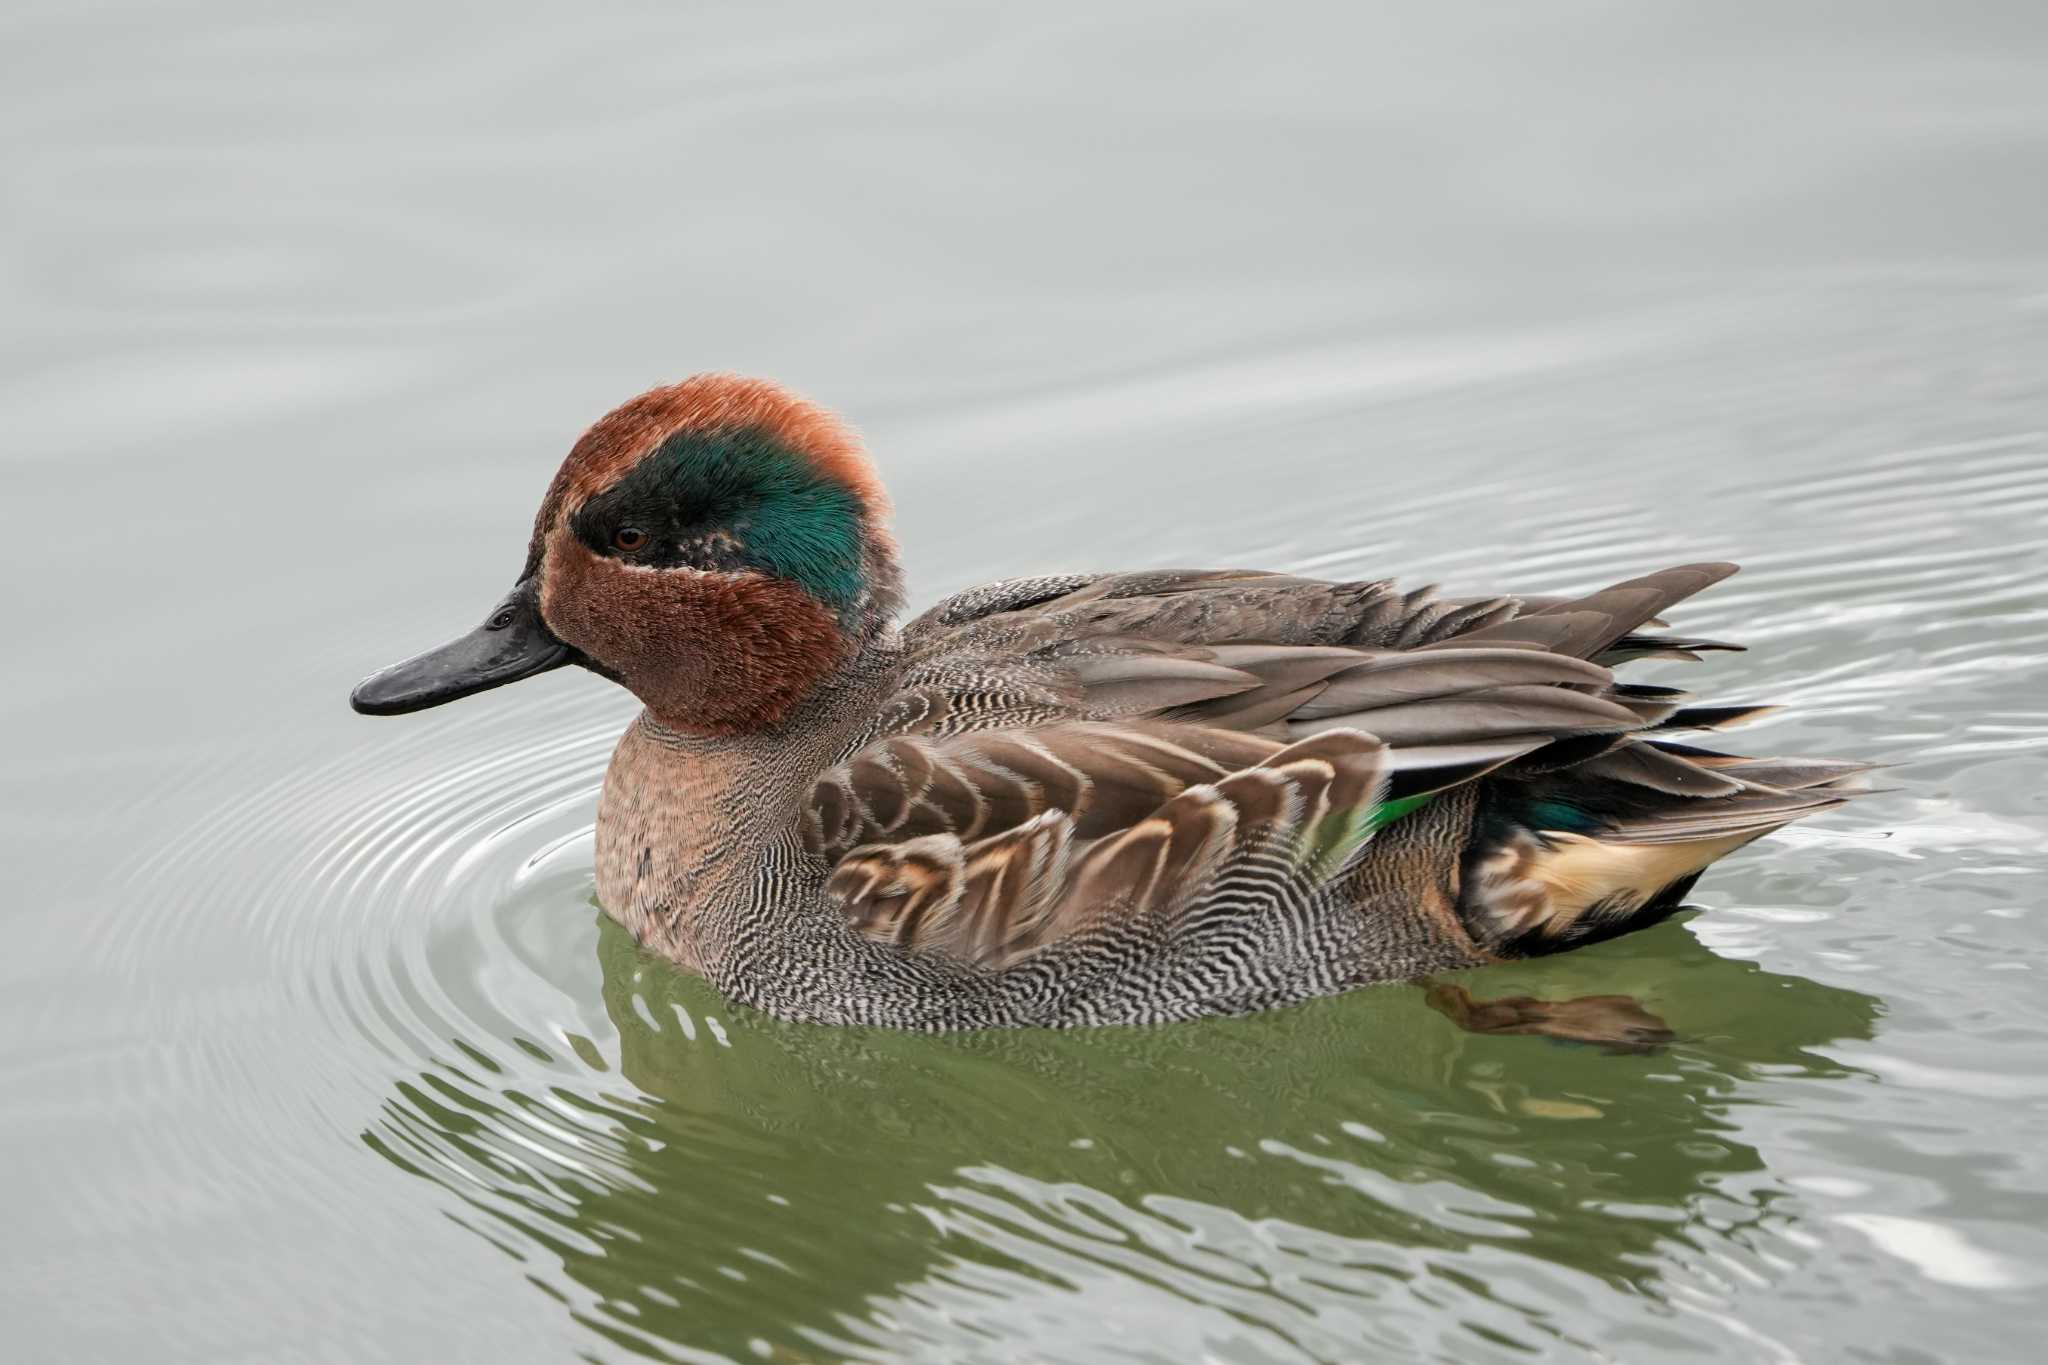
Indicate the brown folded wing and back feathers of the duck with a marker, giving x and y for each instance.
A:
(1082, 746)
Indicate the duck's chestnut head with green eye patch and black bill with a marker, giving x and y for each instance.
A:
(716, 545)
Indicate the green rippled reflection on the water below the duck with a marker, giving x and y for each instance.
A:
(814, 1192)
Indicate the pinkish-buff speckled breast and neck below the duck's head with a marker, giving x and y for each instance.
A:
(687, 822)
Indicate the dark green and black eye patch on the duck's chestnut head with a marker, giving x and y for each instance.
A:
(730, 502)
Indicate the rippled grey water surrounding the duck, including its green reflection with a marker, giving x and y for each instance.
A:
(312, 1043)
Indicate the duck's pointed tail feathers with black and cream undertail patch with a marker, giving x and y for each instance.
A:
(1588, 840)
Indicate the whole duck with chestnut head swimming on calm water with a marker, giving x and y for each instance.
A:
(1082, 799)
